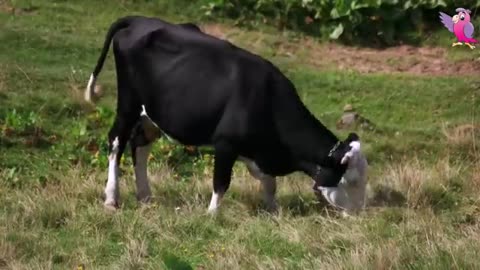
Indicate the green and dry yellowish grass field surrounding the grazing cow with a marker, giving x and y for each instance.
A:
(424, 179)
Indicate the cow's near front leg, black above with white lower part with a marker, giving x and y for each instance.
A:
(225, 157)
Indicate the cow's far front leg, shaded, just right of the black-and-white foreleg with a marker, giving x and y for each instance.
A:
(269, 184)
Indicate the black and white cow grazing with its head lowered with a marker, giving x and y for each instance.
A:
(200, 90)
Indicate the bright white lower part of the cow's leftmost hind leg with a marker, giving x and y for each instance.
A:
(112, 190)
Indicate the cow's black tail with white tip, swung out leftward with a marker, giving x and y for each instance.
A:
(114, 28)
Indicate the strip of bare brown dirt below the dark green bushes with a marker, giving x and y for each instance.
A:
(401, 59)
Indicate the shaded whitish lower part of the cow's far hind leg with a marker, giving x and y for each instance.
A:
(141, 179)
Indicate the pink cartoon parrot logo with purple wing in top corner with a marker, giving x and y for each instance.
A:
(461, 26)
